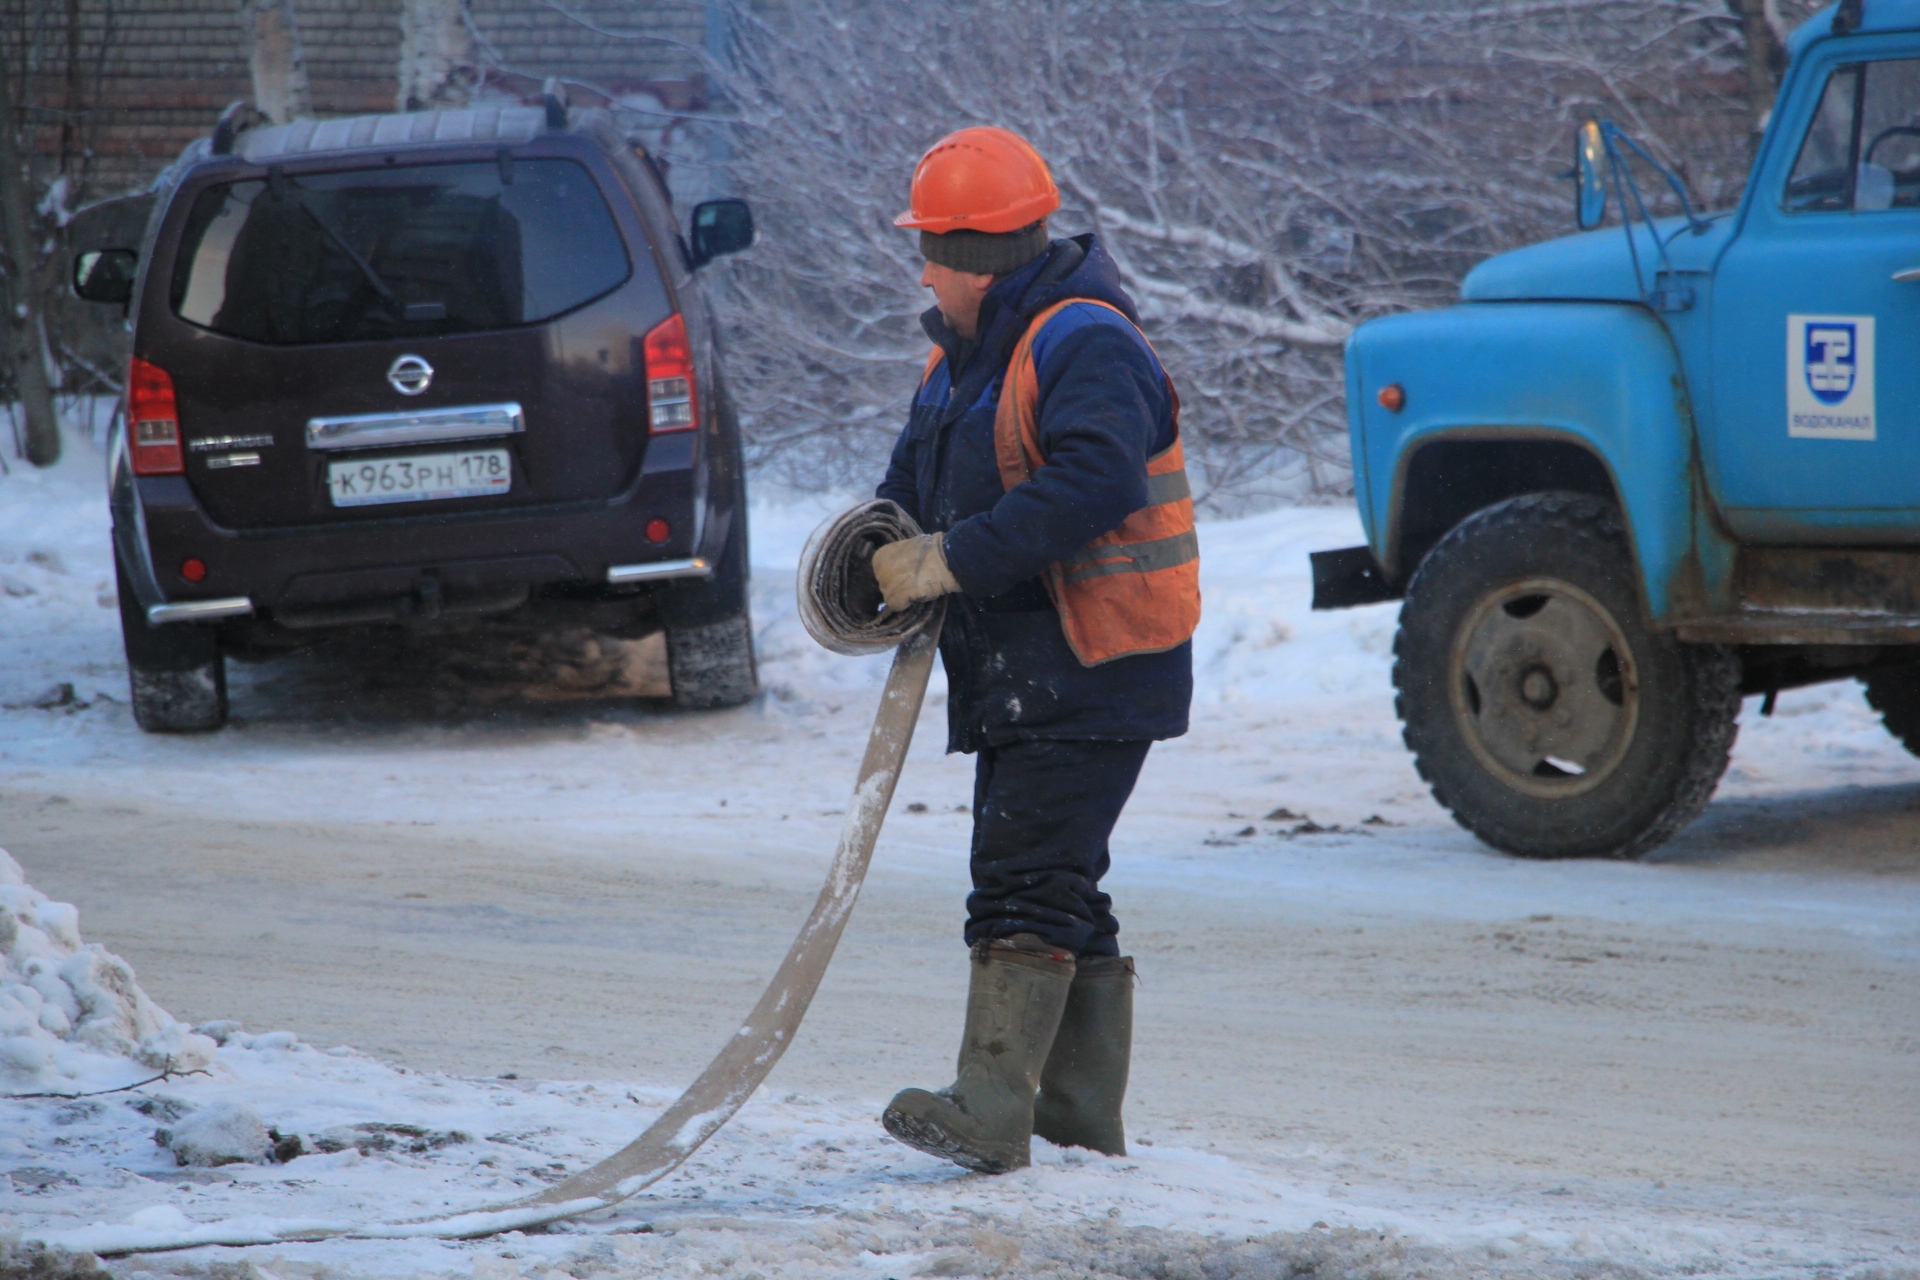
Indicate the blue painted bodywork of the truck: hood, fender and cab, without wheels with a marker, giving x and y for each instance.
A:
(1779, 404)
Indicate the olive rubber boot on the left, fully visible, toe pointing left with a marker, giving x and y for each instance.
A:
(984, 1120)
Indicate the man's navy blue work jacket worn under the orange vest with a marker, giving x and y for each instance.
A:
(1105, 410)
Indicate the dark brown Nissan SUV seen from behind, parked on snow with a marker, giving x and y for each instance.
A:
(433, 371)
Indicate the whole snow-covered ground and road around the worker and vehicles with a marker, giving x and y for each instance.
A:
(1293, 799)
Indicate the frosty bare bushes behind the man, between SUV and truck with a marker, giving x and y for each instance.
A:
(1266, 174)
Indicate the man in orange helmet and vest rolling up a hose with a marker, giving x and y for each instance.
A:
(1044, 462)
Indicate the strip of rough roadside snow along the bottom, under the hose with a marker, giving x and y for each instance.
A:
(796, 1189)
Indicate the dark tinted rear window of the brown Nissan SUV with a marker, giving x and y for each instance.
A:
(391, 252)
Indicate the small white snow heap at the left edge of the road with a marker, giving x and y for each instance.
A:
(72, 1014)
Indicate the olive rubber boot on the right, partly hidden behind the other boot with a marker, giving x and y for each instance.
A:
(1086, 1076)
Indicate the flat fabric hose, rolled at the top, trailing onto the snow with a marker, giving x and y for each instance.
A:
(840, 607)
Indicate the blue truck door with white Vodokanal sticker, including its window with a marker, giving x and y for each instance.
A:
(1815, 425)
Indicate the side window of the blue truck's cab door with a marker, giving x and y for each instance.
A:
(1863, 147)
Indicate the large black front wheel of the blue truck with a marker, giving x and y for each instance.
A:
(1547, 717)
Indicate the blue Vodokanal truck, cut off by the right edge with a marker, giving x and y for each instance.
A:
(1646, 471)
